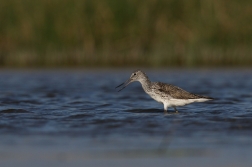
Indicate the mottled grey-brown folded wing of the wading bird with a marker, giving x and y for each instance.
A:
(176, 92)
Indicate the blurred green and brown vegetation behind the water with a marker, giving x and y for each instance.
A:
(152, 33)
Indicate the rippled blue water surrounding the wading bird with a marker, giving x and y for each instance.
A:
(75, 115)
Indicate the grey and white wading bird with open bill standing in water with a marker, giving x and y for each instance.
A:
(169, 95)
